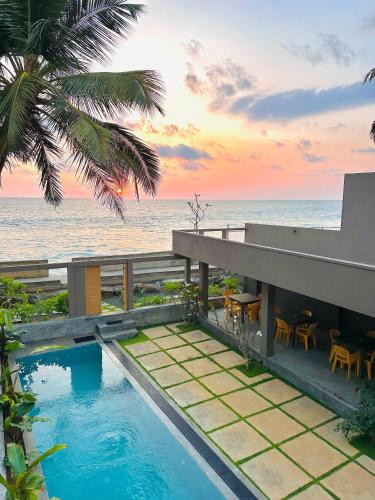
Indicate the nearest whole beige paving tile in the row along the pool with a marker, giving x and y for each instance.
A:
(274, 474)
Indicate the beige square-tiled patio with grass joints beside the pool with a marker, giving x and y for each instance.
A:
(282, 440)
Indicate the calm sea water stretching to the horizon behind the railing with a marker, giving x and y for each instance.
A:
(30, 229)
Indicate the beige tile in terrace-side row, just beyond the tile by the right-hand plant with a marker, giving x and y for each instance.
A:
(308, 412)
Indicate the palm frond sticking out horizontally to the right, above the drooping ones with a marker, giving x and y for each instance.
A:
(109, 94)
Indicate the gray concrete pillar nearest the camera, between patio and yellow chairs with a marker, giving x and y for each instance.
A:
(267, 320)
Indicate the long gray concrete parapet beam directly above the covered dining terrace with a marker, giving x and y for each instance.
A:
(337, 282)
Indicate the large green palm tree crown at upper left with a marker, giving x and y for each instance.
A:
(50, 103)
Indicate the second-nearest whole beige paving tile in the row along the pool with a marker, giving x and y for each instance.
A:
(239, 441)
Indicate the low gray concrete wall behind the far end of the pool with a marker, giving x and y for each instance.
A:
(85, 325)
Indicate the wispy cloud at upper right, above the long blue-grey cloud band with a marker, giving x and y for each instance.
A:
(329, 48)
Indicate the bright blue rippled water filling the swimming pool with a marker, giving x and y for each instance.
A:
(118, 448)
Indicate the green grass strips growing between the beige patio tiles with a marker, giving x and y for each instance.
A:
(257, 368)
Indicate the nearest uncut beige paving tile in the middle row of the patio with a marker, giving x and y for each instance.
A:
(313, 454)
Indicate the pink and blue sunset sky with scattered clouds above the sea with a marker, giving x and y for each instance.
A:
(264, 98)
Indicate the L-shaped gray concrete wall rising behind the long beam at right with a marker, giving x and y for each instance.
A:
(356, 239)
